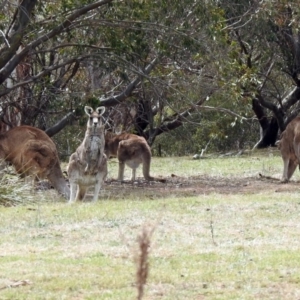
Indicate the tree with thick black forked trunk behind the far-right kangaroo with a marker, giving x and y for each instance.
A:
(262, 65)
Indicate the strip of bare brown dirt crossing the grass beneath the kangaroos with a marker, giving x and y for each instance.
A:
(188, 186)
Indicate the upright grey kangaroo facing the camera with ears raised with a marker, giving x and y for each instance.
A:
(88, 164)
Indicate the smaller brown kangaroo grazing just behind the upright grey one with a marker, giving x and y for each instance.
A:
(132, 150)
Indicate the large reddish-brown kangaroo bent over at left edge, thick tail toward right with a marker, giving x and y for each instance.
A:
(32, 152)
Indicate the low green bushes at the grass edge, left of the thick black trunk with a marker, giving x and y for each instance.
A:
(217, 132)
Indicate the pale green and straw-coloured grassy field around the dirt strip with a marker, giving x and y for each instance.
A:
(204, 243)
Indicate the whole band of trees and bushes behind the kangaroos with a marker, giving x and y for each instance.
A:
(184, 74)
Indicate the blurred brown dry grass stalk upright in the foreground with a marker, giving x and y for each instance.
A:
(144, 240)
